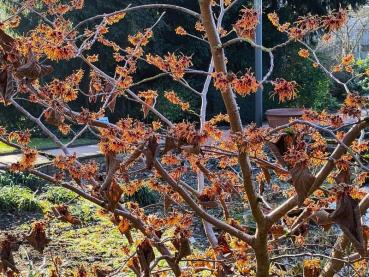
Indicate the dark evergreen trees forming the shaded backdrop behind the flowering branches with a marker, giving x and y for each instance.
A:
(312, 93)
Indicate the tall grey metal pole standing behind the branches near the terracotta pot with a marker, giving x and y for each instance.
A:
(258, 4)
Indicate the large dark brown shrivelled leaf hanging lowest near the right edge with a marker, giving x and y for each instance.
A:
(347, 215)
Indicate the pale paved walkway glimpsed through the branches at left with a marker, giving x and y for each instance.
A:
(81, 152)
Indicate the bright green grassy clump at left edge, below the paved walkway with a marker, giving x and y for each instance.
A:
(18, 199)
